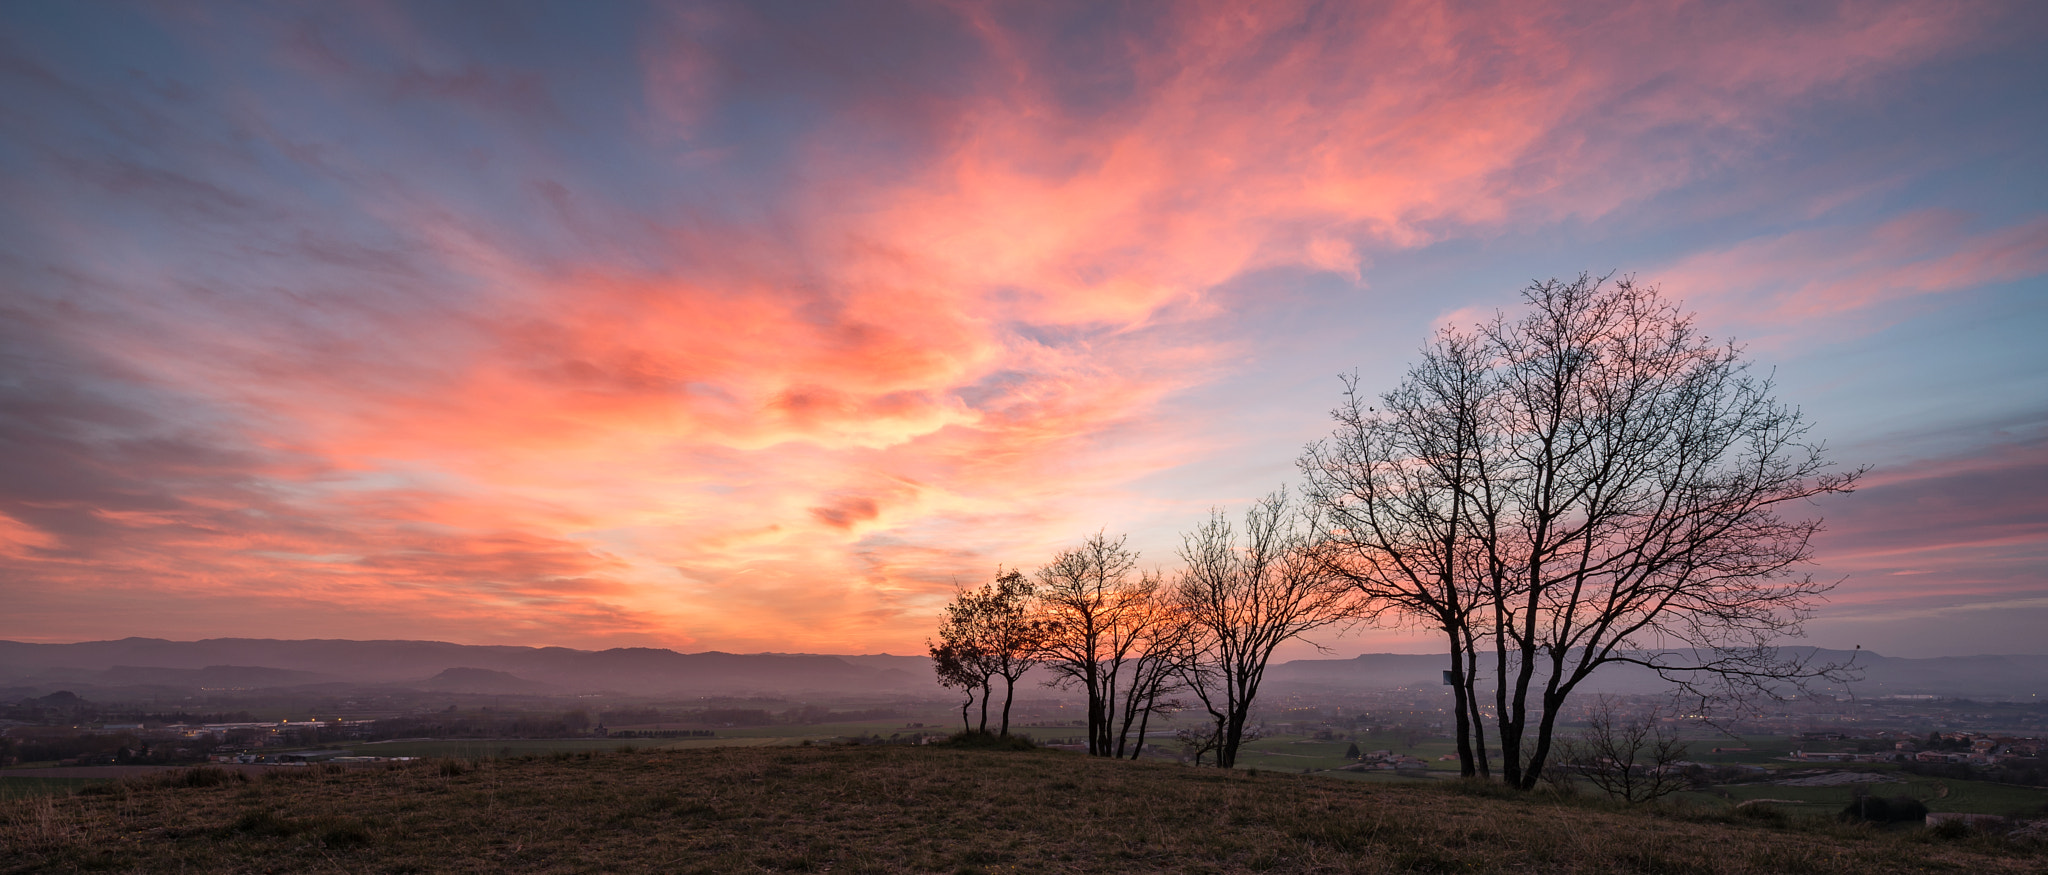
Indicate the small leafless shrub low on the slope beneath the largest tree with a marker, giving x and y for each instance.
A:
(1629, 757)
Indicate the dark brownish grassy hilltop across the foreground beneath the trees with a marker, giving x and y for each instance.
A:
(908, 810)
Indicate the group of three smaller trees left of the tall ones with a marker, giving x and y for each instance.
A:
(1140, 642)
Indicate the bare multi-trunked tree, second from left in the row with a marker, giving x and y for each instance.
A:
(1103, 634)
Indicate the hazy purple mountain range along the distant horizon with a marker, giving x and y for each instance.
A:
(247, 663)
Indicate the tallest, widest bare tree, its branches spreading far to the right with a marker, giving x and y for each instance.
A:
(1644, 507)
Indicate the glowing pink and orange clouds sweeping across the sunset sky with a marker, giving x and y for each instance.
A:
(939, 343)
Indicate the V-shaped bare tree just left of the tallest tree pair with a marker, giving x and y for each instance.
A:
(1250, 595)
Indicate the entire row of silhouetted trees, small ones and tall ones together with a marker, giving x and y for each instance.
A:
(1590, 483)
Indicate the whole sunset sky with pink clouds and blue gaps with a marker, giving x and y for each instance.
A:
(761, 327)
